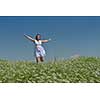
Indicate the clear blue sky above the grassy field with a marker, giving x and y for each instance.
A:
(70, 36)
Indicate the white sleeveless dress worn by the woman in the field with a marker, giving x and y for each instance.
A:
(39, 50)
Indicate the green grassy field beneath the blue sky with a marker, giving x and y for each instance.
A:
(78, 70)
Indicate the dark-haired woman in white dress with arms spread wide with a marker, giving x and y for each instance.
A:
(39, 50)
